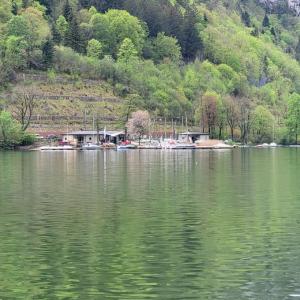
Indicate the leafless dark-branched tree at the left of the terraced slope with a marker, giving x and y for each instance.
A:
(24, 103)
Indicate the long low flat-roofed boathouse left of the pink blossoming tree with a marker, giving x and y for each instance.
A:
(80, 137)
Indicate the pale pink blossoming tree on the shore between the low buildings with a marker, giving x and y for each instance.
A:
(139, 123)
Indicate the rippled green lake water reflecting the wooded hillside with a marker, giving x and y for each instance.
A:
(150, 225)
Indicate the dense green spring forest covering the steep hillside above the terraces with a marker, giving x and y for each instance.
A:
(230, 67)
